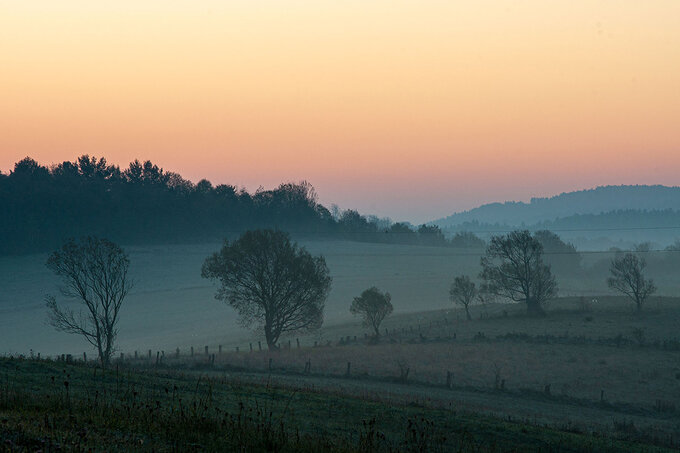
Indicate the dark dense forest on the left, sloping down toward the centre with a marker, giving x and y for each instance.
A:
(40, 207)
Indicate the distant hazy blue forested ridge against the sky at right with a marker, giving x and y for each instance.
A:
(593, 201)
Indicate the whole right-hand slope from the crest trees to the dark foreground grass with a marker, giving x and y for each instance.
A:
(596, 366)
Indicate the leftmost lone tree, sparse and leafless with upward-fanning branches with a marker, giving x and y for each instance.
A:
(95, 273)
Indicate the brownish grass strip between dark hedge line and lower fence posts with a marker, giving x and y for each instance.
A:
(574, 371)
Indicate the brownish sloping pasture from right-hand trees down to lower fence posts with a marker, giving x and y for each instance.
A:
(636, 373)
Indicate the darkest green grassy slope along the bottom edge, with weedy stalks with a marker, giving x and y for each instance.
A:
(53, 406)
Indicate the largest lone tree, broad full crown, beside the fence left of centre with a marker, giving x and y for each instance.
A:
(271, 282)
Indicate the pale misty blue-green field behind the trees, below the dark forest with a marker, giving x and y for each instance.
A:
(172, 306)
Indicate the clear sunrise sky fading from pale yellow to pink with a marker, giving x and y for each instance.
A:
(407, 109)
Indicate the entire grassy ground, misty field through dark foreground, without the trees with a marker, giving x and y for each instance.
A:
(592, 375)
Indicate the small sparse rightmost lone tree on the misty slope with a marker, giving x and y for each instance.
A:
(627, 277)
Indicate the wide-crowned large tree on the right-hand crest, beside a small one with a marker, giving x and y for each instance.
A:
(513, 268)
